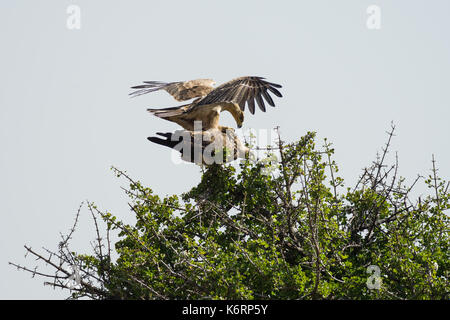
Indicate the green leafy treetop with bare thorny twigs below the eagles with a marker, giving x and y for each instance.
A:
(286, 229)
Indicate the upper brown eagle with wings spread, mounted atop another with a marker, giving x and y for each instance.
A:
(231, 96)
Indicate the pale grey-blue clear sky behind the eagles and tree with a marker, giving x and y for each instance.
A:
(65, 116)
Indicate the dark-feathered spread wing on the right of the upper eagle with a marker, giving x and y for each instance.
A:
(243, 90)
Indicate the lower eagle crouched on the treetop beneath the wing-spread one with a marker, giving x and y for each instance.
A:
(204, 147)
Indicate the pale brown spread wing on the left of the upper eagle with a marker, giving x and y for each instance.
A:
(181, 90)
